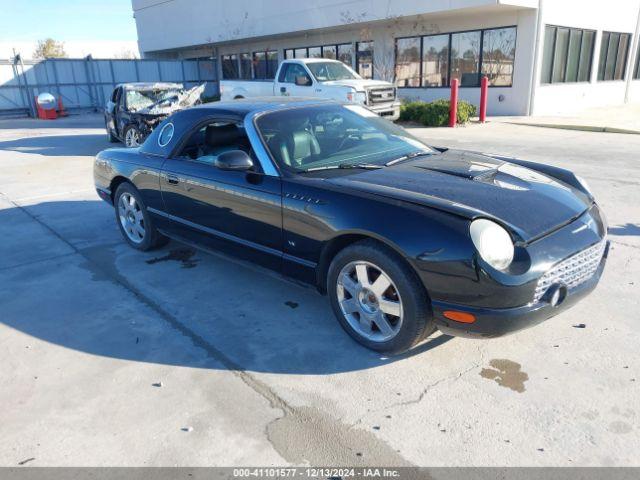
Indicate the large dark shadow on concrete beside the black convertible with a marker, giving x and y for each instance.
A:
(76, 284)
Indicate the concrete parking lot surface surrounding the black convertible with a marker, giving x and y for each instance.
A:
(110, 356)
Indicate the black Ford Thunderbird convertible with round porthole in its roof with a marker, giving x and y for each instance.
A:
(403, 237)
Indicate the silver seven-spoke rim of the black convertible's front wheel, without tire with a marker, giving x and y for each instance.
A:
(369, 301)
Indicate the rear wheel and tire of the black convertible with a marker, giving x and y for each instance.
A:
(134, 222)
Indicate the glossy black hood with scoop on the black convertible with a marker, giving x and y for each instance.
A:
(474, 185)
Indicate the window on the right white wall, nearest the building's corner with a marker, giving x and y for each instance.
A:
(568, 55)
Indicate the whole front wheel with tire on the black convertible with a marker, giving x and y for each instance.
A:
(401, 308)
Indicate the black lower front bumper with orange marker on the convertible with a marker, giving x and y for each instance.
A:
(496, 322)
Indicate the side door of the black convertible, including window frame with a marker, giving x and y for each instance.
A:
(239, 212)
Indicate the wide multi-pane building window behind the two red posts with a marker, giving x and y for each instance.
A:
(464, 55)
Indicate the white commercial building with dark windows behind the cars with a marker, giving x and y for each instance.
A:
(541, 56)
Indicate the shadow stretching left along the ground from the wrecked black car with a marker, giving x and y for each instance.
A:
(59, 145)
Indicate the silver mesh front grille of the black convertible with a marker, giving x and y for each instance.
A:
(572, 271)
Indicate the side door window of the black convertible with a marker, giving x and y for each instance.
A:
(214, 138)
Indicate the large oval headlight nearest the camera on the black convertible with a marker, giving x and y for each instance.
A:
(492, 242)
